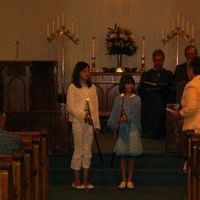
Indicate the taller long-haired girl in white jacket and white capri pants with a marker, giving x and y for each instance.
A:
(80, 90)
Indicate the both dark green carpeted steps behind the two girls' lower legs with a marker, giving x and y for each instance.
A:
(150, 169)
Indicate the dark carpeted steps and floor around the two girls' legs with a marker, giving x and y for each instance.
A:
(158, 176)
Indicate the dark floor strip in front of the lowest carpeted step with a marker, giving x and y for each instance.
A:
(113, 193)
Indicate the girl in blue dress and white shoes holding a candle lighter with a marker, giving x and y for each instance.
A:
(128, 144)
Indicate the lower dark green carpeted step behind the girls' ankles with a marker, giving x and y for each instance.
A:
(112, 177)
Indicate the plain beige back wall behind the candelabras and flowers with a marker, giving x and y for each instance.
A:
(26, 20)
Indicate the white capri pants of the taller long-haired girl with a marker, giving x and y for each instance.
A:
(83, 138)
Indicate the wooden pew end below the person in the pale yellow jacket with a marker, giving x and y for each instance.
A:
(193, 167)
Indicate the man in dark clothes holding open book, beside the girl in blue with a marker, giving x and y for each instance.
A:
(155, 91)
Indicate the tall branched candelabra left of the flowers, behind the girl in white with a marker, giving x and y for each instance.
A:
(62, 32)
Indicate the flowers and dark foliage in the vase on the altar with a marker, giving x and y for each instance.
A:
(120, 41)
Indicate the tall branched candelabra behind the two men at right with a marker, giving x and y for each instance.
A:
(178, 32)
